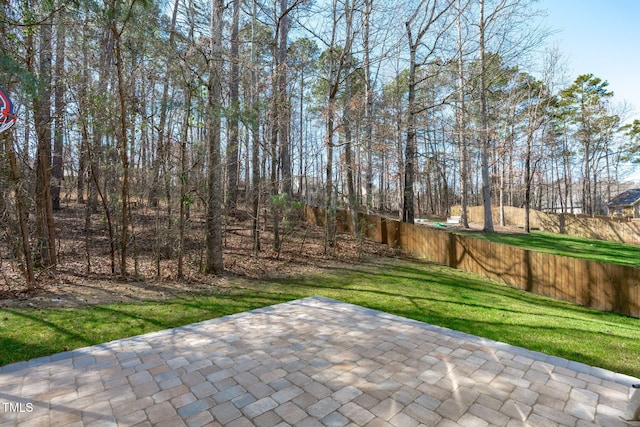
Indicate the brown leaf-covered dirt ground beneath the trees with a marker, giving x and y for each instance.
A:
(83, 275)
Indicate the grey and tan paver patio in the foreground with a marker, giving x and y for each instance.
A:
(309, 362)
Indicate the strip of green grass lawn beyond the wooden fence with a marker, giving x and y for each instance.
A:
(569, 246)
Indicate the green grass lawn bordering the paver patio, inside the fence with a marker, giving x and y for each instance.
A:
(413, 289)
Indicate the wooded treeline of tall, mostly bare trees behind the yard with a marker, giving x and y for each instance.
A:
(238, 106)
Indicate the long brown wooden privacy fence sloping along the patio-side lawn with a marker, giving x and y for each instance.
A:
(606, 287)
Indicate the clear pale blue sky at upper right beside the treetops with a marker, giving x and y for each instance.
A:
(601, 37)
